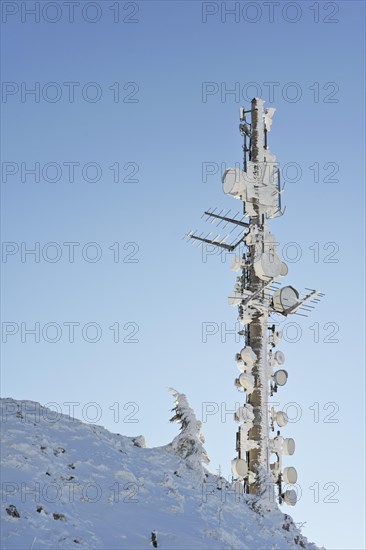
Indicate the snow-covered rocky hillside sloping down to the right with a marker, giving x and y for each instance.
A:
(66, 484)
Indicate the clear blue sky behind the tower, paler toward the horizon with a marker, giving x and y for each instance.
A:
(153, 89)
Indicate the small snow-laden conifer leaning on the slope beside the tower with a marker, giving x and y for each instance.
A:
(189, 442)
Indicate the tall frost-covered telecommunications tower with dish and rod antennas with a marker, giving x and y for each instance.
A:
(258, 295)
